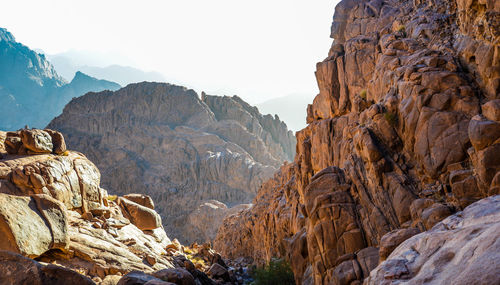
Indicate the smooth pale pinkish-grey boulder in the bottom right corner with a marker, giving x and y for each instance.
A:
(462, 249)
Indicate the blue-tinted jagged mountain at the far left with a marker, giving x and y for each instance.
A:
(31, 91)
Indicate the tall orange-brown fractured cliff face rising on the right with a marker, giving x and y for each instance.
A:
(404, 132)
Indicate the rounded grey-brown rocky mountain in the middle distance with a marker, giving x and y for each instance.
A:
(163, 141)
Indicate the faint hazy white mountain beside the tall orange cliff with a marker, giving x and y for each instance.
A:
(291, 109)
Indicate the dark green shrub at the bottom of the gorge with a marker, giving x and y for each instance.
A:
(278, 271)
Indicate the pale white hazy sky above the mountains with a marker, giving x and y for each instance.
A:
(258, 49)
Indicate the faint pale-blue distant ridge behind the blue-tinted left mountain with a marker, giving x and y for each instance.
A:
(68, 64)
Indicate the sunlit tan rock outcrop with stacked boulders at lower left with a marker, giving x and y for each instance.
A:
(53, 209)
